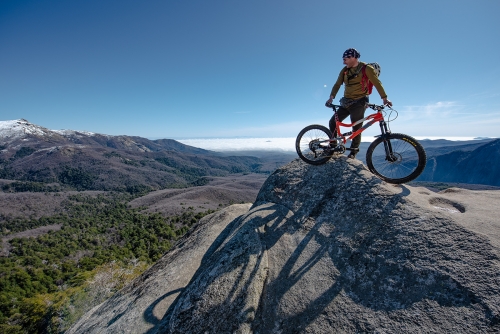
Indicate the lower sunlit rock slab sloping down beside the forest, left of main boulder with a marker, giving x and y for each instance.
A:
(141, 305)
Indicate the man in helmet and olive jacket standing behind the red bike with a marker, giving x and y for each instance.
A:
(355, 94)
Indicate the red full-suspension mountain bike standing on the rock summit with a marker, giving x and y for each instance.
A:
(394, 157)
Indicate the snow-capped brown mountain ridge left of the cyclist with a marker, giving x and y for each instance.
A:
(39, 159)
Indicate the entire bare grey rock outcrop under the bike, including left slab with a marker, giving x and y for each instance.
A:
(324, 249)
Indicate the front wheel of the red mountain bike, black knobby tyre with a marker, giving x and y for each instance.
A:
(396, 158)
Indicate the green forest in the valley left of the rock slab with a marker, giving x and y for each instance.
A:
(47, 282)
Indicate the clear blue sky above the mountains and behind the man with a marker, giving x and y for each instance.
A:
(231, 68)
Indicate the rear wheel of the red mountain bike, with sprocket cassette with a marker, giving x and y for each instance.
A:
(313, 144)
